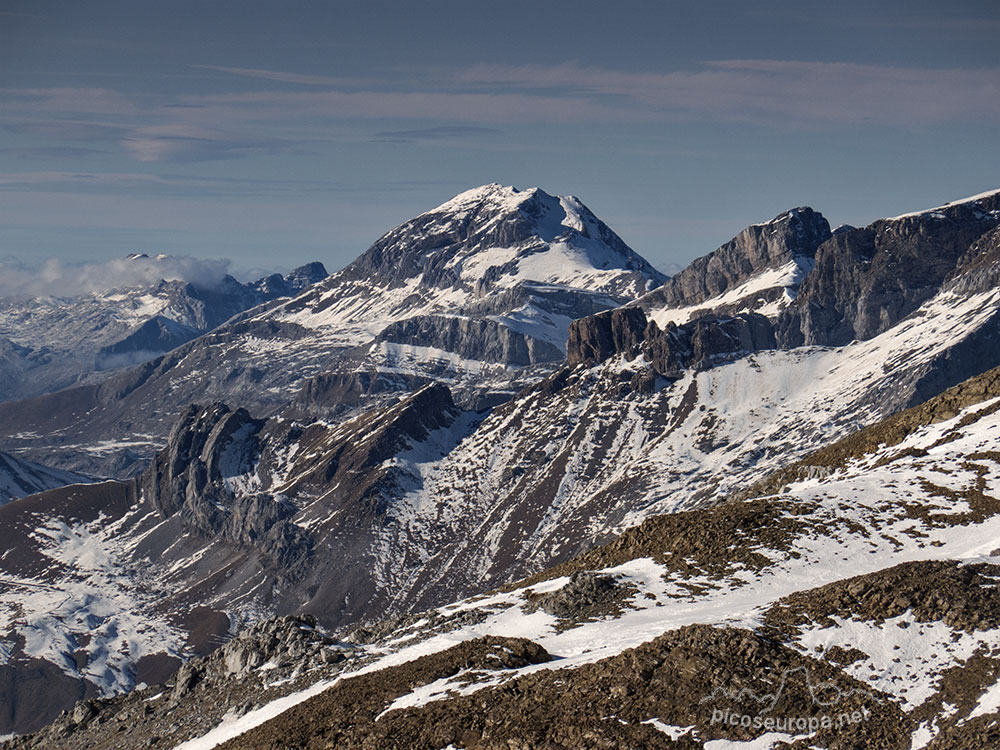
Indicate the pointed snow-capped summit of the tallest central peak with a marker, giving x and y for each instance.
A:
(496, 236)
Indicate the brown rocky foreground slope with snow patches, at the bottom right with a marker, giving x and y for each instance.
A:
(846, 601)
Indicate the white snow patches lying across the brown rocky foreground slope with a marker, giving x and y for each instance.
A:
(860, 519)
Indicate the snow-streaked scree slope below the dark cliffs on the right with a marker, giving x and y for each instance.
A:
(558, 467)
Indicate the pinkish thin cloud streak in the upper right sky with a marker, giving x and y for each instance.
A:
(770, 90)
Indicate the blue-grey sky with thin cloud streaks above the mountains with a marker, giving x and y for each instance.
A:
(277, 133)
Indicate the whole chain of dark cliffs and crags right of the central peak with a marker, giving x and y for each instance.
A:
(864, 282)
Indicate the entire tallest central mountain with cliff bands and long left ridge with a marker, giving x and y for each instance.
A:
(478, 293)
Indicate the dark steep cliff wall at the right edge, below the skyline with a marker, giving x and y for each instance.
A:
(866, 280)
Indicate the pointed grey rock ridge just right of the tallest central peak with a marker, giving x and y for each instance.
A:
(794, 234)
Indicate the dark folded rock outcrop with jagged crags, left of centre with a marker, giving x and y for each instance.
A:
(217, 473)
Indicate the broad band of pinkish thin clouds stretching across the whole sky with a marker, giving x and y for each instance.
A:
(778, 94)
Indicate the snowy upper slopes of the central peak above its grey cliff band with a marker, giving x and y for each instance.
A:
(493, 252)
